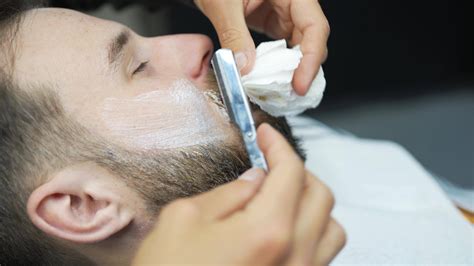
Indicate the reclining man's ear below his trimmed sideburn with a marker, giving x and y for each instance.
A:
(83, 203)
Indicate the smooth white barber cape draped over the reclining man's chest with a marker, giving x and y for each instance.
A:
(392, 209)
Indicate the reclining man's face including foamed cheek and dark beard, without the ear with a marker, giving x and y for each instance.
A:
(151, 102)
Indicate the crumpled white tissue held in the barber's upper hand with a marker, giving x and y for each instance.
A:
(269, 83)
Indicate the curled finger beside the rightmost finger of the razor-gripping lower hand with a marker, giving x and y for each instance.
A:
(312, 220)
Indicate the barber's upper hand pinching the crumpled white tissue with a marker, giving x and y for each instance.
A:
(299, 21)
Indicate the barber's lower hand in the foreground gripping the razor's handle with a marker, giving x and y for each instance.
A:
(283, 218)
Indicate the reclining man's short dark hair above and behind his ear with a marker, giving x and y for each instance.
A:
(29, 123)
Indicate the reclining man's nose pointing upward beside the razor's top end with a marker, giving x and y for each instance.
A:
(191, 54)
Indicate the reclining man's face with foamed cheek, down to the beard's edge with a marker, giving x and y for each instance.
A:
(144, 93)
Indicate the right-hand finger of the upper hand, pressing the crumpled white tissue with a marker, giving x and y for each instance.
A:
(309, 19)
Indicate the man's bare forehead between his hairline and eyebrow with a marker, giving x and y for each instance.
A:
(54, 42)
